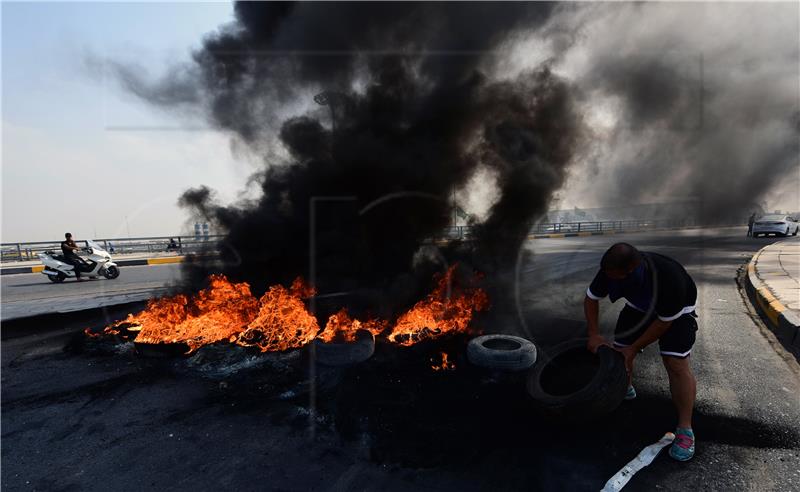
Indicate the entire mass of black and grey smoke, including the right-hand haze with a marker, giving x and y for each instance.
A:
(607, 104)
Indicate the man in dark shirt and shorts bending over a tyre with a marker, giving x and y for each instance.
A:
(660, 300)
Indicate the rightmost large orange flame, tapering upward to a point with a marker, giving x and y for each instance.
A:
(446, 310)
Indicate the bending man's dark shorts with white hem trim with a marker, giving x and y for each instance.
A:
(676, 342)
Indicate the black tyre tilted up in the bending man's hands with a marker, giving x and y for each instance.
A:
(572, 382)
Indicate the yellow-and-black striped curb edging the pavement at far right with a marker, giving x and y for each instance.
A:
(783, 322)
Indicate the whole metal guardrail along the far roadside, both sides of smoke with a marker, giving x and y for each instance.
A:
(191, 244)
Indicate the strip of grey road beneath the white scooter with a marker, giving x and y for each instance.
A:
(32, 294)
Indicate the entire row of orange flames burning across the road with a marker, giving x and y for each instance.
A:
(227, 311)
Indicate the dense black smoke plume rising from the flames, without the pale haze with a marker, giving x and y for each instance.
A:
(409, 117)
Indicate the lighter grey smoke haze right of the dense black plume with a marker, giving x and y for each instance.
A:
(692, 103)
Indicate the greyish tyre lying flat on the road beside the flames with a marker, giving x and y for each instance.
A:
(503, 352)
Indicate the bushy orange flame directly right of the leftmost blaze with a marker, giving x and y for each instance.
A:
(283, 322)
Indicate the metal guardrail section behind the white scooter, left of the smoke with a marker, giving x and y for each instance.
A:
(10, 252)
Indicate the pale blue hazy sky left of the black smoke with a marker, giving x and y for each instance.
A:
(66, 165)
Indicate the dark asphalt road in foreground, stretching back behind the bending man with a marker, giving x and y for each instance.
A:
(105, 419)
